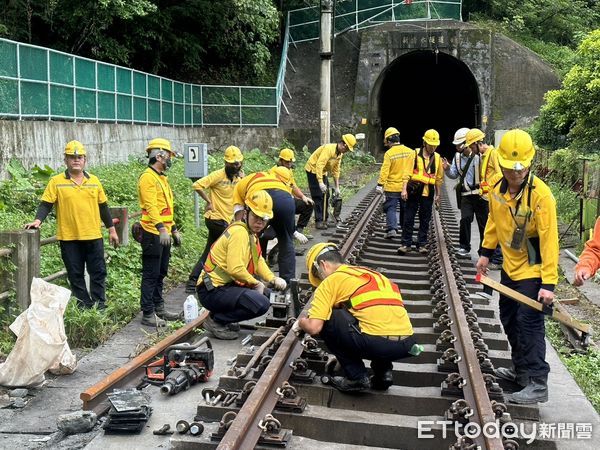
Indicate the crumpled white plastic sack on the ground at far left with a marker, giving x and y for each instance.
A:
(41, 340)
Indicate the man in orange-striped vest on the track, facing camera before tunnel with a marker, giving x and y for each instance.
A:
(423, 189)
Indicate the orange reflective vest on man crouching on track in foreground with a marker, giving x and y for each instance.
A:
(376, 290)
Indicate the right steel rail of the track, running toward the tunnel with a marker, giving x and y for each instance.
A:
(475, 392)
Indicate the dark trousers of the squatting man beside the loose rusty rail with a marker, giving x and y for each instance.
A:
(232, 303)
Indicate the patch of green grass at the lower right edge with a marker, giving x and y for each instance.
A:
(583, 367)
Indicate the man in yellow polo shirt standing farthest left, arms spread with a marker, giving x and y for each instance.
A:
(80, 206)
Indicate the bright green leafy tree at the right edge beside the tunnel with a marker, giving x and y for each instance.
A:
(571, 115)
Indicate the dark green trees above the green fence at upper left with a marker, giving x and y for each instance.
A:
(199, 41)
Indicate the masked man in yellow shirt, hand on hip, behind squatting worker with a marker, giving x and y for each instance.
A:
(218, 211)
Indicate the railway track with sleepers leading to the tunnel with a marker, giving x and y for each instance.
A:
(446, 397)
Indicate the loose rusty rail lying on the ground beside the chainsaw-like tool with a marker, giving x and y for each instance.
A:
(94, 398)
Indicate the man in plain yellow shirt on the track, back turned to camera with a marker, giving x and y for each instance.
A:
(395, 172)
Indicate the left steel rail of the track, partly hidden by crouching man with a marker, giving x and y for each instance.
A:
(244, 432)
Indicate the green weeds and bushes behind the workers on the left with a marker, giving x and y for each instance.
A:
(87, 328)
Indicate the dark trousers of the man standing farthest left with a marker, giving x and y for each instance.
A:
(78, 255)
